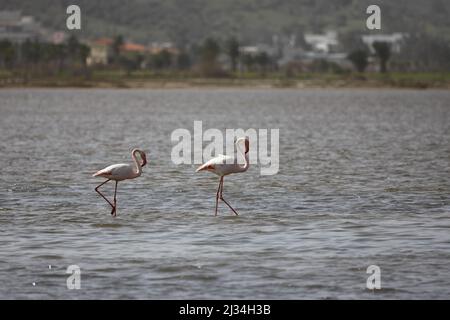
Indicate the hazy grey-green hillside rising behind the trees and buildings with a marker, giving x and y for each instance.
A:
(186, 21)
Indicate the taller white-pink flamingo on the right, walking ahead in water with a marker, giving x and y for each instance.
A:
(220, 167)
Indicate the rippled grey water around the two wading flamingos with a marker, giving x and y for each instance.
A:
(364, 179)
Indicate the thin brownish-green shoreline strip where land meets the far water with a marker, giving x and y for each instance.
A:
(228, 83)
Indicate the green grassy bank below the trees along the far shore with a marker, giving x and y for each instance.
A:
(147, 79)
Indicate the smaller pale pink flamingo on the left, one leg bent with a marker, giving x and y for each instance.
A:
(119, 172)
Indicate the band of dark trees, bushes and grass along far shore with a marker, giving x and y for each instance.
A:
(45, 64)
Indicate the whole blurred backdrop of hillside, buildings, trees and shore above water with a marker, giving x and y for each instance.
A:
(285, 43)
